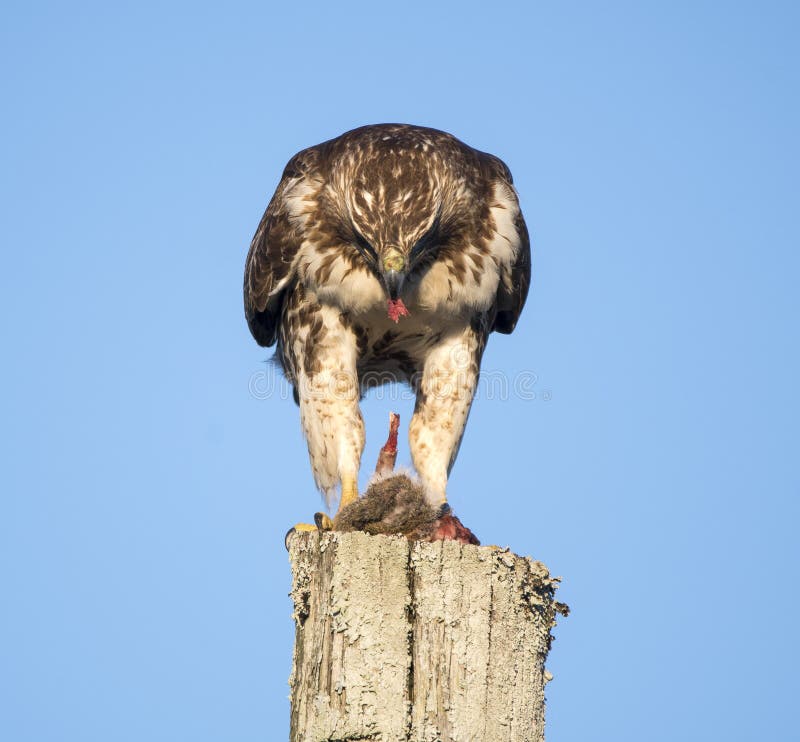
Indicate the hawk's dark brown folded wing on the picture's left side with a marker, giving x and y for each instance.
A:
(269, 269)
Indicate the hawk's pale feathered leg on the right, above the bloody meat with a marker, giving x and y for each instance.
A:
(444, 395)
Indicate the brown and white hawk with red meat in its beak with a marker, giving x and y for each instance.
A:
(389, 253)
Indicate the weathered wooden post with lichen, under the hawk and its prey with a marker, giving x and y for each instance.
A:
(404, 641)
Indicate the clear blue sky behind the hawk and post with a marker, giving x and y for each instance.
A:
(146, 489)
